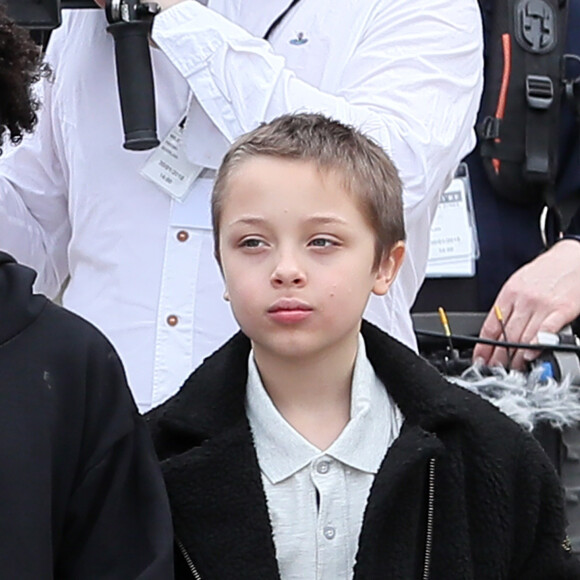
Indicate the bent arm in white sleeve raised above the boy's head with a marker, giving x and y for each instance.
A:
(412, 82)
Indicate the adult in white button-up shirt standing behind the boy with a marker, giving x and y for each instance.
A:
(74, 203)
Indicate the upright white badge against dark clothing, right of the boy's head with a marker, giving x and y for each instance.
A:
(453, 246)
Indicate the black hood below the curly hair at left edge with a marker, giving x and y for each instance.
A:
(19, 307)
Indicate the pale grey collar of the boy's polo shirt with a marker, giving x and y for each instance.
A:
(374, 424)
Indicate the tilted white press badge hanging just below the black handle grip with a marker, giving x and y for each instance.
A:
(168, 166)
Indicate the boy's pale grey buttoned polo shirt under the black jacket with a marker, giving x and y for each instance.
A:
(316, 499)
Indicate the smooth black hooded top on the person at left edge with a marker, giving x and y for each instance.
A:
(81, 496)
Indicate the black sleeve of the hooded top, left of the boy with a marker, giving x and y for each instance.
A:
(118, 523)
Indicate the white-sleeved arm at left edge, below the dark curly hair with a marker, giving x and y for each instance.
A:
(34, 223)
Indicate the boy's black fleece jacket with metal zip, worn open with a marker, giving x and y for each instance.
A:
(497, 505)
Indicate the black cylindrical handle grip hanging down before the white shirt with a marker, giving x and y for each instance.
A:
(130, 24)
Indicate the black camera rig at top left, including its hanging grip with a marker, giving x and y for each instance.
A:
(130, 23)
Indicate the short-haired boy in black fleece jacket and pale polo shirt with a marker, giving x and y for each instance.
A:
(312, 445)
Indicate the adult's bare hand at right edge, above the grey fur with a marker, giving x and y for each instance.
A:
(543, 295)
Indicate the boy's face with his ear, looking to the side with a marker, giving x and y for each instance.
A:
(297, 257)
